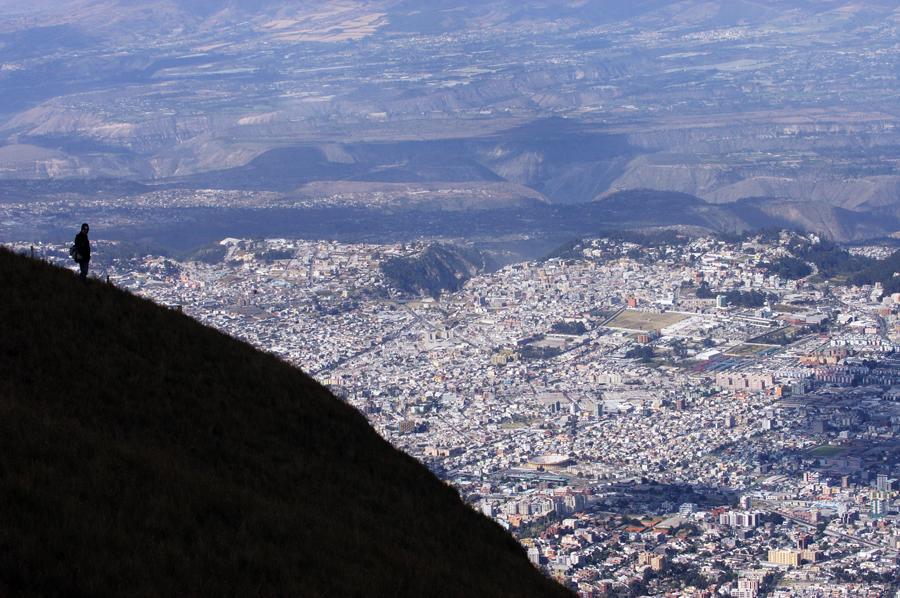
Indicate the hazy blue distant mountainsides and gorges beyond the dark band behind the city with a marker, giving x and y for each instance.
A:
(791, 103)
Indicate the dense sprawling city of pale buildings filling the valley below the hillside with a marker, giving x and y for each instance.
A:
(650, 413)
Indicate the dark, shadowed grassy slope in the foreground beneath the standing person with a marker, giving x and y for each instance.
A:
(143, 454)
